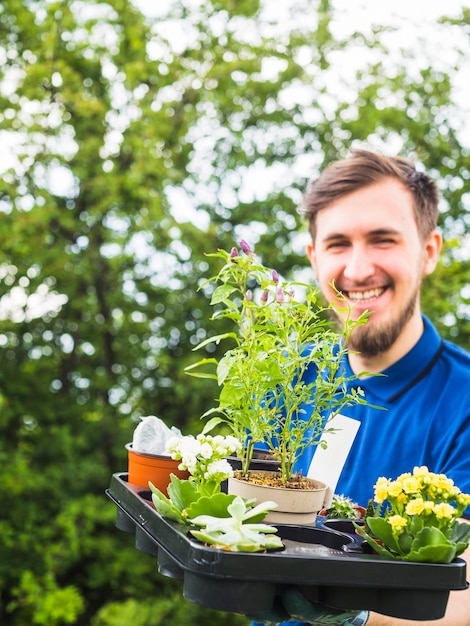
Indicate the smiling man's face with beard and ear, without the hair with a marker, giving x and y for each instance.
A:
(368, 243)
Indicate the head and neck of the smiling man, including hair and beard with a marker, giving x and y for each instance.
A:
(371, 242)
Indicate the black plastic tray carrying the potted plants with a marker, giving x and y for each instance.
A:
(329, 566)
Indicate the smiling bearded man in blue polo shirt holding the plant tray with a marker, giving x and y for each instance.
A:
(373, 226)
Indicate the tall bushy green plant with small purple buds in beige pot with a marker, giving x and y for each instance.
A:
(264, 398)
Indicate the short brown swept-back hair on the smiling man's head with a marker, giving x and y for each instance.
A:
(363, 168)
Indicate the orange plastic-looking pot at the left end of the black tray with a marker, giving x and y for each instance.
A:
(144, 468)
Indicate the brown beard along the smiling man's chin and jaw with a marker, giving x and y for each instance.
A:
(371, 340)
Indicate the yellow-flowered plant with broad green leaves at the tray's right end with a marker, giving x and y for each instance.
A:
(415, 518)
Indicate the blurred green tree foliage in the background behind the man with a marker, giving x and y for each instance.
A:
(131, 145)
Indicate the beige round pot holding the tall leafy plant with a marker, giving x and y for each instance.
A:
(295, 506)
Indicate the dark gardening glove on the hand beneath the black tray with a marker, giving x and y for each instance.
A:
(294, 607)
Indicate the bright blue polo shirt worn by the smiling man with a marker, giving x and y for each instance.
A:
(425, 421)
